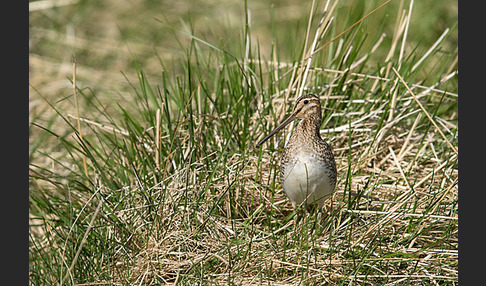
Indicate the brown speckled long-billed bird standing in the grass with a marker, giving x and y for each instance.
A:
(307, 167)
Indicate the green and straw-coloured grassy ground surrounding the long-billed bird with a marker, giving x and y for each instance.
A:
(147, 173)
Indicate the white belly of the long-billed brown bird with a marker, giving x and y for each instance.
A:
(306, 180)
